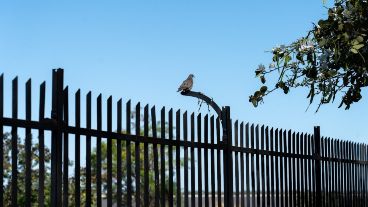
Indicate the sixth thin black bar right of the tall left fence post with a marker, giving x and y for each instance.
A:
(119, 174)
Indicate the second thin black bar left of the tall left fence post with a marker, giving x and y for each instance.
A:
(28, 146)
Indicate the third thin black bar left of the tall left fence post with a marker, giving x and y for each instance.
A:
(14, 141)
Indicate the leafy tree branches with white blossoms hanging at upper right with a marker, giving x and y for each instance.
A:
(330, 60)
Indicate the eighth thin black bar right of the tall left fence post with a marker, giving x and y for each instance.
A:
(137, 156)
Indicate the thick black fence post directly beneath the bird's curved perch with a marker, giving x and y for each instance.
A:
(228, 160)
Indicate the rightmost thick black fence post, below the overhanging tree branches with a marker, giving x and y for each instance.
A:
(317, 158)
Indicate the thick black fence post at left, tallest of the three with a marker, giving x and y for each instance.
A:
(56, 137)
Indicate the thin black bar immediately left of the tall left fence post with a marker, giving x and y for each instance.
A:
(41, 147)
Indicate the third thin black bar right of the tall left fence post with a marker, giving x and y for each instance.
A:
(88, 151)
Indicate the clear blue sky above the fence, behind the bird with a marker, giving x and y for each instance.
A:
(142, 50)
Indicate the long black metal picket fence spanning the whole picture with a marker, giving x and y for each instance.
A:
(178, 159)
